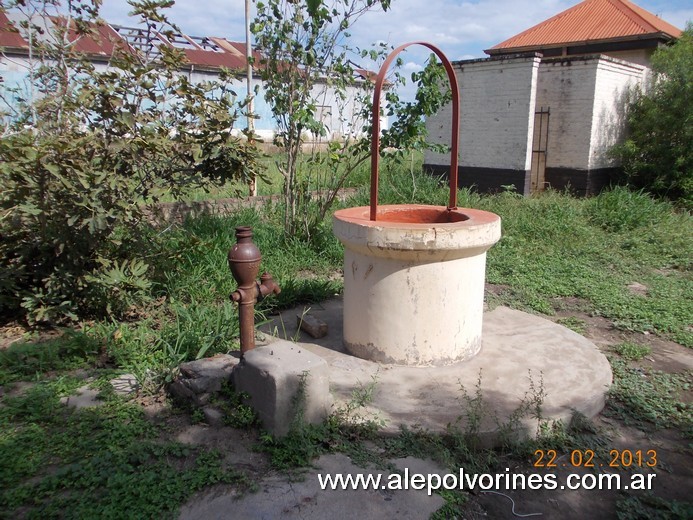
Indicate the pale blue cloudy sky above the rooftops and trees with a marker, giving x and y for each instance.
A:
(462, 29)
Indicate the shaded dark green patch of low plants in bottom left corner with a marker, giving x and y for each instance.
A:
(104, 462)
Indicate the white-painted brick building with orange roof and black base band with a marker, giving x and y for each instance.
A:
(547, 105)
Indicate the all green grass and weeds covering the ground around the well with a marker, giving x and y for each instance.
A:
(113, 461)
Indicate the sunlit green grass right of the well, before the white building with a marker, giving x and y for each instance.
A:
(555, 247)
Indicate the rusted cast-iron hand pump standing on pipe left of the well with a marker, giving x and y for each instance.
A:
(244, 261)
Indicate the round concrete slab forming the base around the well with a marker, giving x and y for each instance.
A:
(523, 357)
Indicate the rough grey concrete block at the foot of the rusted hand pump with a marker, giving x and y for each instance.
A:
(285, 383)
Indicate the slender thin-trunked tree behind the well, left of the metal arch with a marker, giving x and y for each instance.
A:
(306, 54)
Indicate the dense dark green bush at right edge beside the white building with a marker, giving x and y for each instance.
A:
(658, 153)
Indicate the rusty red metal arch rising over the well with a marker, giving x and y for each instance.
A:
(375, 138)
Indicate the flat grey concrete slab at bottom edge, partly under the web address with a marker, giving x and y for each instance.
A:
(306, 500)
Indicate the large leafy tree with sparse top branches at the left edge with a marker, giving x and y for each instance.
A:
(82, 149)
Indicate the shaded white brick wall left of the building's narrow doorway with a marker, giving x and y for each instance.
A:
(497, 100)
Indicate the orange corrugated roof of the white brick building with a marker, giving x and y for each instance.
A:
(591, 21)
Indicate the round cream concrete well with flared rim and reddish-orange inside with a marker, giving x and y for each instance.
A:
(414, 282)
